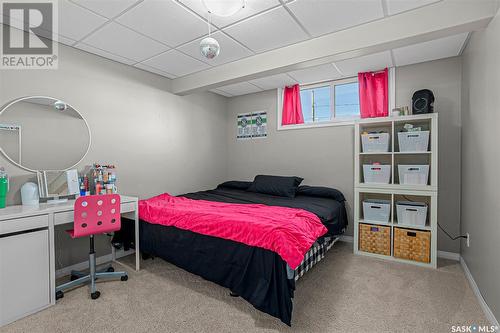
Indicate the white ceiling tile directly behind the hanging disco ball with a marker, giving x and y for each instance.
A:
(230, 50)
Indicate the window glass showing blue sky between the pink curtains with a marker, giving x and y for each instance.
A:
(330, 101)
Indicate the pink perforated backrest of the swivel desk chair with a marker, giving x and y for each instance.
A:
(96, 214)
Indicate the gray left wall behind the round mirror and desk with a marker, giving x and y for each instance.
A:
(160, 142)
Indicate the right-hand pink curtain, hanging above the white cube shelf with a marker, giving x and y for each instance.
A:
(373, 96)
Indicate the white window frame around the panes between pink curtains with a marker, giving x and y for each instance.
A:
(334, 121)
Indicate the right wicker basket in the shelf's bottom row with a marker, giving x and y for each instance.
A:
(412, 244)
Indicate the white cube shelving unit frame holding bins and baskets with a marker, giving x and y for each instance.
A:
(394, 191)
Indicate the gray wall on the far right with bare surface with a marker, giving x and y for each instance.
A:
(480, 160)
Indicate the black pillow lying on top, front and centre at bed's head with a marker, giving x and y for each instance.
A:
(276, 185)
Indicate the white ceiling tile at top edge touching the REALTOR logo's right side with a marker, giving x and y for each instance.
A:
(76, 22)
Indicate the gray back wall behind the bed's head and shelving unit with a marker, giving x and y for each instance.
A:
(325, 156)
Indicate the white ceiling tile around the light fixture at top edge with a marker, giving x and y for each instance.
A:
(252, 7)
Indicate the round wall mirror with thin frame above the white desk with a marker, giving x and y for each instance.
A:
(40, 133)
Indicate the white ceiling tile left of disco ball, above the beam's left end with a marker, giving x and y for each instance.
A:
(176, 63)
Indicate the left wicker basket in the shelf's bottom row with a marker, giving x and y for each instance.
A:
(375, 239)
